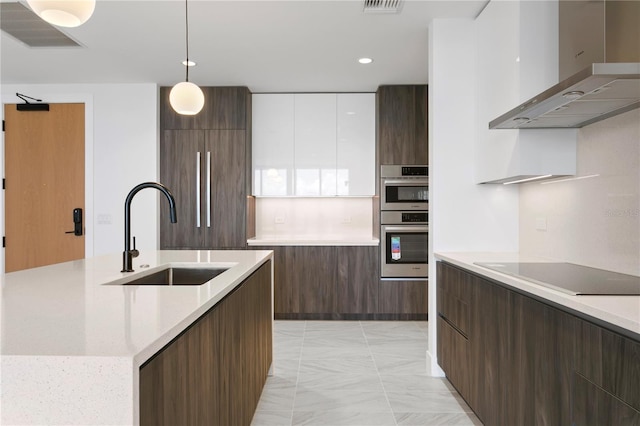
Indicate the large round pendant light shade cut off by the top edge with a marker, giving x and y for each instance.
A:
(63, 13)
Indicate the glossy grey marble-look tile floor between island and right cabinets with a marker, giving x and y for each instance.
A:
(353, 373)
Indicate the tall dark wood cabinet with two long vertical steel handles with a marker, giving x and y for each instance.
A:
(205, 161)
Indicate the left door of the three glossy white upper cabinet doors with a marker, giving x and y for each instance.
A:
(273, 144)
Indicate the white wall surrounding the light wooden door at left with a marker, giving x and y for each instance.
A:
(121, 151)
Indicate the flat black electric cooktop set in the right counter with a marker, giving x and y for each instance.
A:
(570, 278)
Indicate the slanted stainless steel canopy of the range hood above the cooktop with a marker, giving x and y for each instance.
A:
(599, 91)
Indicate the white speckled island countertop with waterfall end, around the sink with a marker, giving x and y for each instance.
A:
(72, 345)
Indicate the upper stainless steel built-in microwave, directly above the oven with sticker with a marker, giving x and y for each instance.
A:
(404, 188)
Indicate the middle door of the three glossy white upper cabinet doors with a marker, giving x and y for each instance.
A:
(315, 145)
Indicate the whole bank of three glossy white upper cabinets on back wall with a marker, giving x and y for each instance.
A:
(310, 145)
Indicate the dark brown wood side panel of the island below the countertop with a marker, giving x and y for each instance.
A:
(213, 373)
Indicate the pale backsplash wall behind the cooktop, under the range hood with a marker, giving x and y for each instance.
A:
(593, 220)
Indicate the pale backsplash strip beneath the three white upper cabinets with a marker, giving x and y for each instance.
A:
(314, 218)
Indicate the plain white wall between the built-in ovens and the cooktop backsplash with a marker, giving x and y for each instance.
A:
(463, 216)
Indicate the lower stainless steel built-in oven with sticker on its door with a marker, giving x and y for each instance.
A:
(404, 244)
